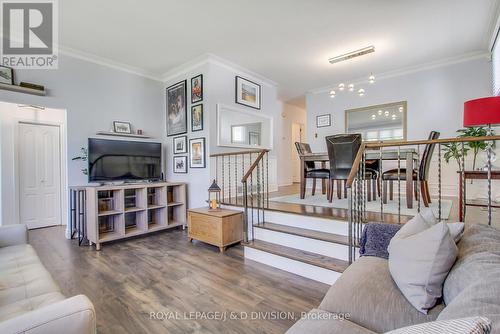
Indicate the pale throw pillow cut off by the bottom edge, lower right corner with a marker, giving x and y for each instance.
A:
(472, 325)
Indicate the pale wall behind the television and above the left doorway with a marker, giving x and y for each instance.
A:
(93, 96)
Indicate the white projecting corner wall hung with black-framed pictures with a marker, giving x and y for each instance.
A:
(219, 88)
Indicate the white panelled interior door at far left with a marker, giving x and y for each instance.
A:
(39, 170)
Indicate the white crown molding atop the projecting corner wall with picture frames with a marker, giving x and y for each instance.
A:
(210, 58)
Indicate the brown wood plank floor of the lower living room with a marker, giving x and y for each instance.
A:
(165, 273)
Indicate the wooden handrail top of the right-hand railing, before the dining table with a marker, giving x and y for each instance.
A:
(372, 146)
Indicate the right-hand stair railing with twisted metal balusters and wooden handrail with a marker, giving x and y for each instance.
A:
(356, 193)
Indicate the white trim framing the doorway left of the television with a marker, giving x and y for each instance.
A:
(63, 165)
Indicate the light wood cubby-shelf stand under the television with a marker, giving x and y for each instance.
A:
(115, 212)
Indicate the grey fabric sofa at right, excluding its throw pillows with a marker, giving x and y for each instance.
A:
(372, 302)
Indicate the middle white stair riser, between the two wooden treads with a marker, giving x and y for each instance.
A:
(329, 249)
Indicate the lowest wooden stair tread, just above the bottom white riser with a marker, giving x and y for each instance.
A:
(300, 255)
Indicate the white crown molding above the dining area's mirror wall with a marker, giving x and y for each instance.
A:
(410, 70)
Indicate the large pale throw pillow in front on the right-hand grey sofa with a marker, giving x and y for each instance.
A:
(420, 258)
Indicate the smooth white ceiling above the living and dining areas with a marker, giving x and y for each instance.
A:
(287, 41)
